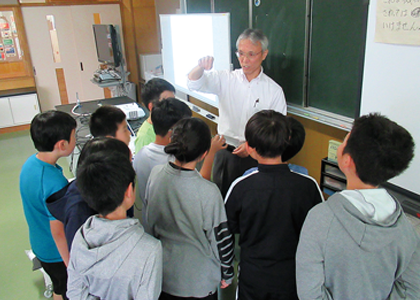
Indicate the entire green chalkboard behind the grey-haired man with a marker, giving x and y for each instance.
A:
(316, 51)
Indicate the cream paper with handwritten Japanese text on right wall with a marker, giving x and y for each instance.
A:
(398, 22)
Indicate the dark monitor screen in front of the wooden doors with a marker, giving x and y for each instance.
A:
(107, 47)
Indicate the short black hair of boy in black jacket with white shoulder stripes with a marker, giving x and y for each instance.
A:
(268, 132)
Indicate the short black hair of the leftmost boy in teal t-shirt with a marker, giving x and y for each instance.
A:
(49, 127)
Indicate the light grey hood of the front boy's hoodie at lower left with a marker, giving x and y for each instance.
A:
(101, 240)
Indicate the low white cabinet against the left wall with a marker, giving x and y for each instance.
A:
(18, 110)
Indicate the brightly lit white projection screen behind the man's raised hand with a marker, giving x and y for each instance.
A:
(188, 37)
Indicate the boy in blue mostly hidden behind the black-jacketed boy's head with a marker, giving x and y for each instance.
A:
(296, 141)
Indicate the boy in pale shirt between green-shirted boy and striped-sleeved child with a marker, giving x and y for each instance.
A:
(165, 114)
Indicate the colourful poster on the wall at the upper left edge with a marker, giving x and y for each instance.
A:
(9, 41)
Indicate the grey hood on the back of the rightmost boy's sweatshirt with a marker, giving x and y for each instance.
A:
(369, 234)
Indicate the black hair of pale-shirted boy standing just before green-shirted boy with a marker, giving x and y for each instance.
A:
(166, 113)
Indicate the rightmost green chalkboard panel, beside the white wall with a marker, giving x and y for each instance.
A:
(336, 55)
